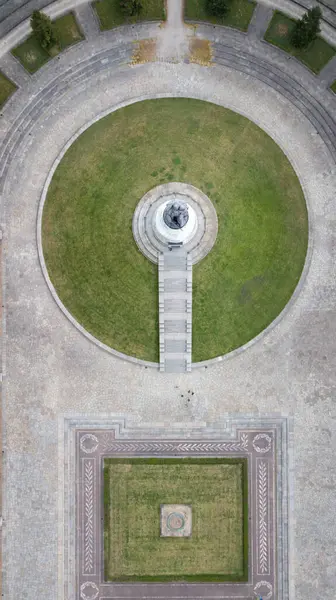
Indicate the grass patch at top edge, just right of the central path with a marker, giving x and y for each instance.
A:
(239, 14)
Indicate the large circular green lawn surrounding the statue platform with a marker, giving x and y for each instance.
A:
(93, 261)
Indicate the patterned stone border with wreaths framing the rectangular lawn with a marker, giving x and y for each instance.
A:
(265, 442)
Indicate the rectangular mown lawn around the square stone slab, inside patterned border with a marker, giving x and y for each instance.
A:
(215, 488)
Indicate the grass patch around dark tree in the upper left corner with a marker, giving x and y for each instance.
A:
(31, 54)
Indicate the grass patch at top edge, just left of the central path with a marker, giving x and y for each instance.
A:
(110, 15)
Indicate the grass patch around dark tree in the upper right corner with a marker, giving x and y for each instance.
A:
(279, 33)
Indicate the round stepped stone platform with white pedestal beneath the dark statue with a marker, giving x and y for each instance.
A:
(153, 235)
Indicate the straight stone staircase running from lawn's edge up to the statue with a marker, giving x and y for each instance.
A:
(175, 306)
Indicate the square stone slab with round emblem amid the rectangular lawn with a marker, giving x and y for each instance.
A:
(175, 520)
